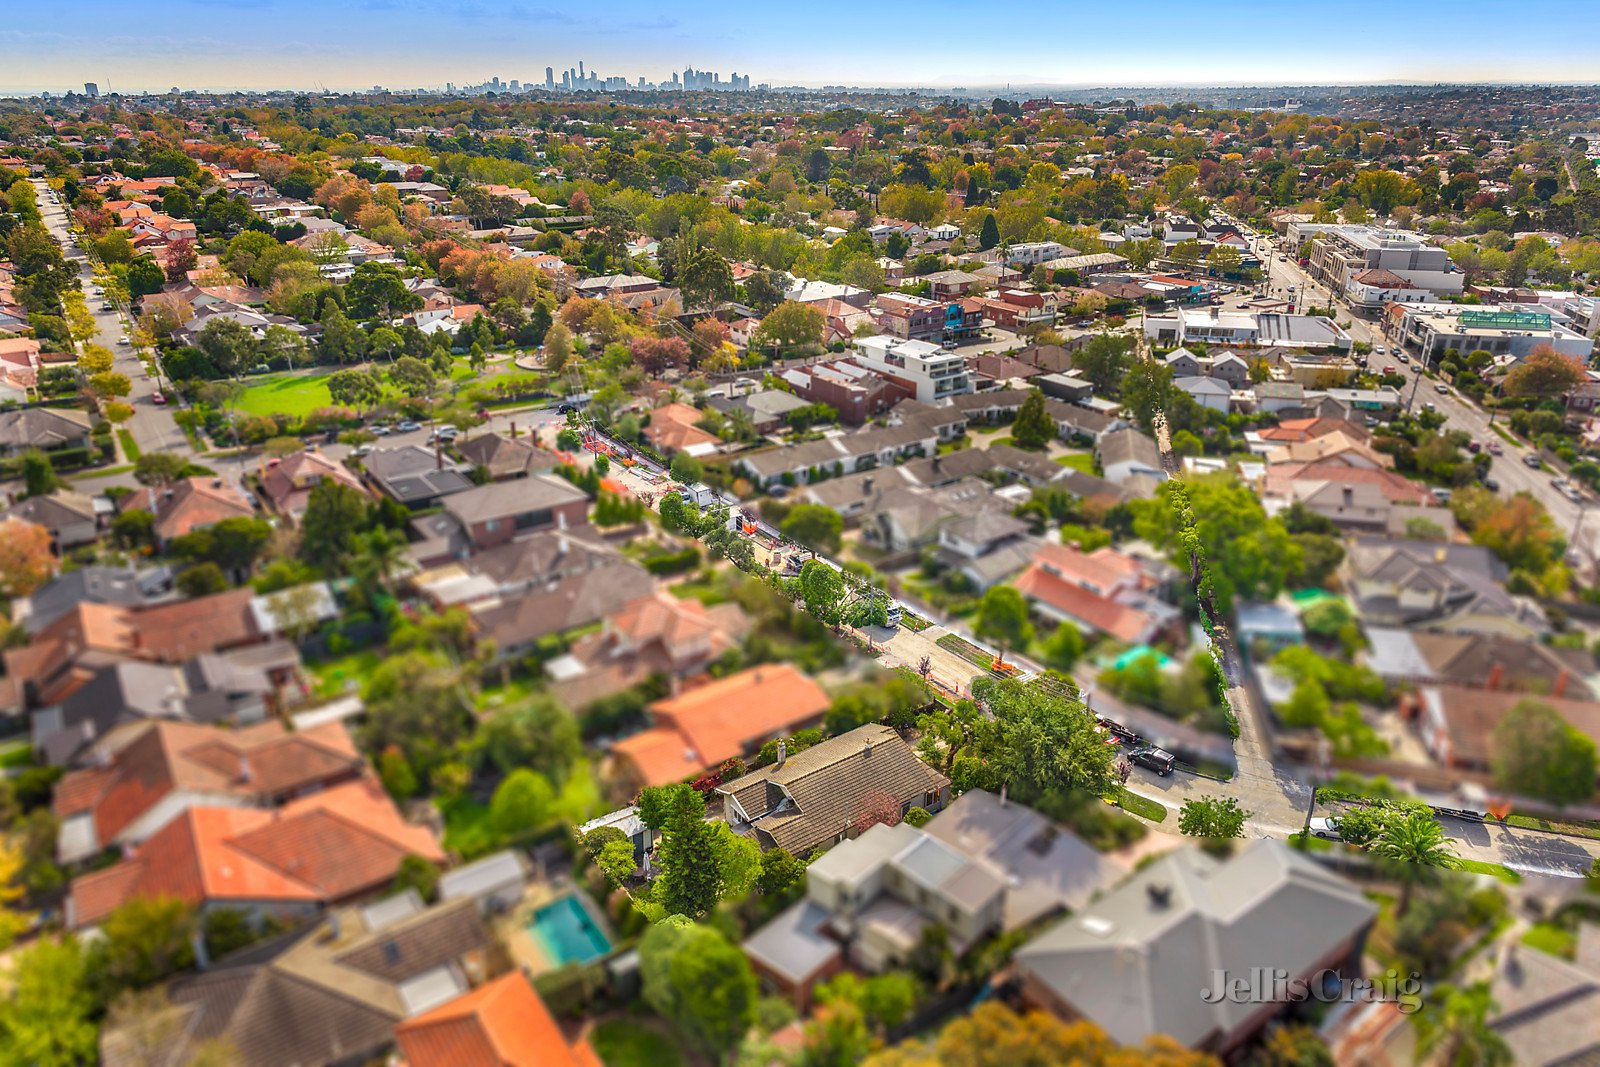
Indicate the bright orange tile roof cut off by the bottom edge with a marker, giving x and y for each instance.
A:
(500, 1025)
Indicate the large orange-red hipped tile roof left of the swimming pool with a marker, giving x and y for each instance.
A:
(321, 849)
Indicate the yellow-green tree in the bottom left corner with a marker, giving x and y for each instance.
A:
(47, 1020)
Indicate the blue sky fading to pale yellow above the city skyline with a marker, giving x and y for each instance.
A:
(425, 44)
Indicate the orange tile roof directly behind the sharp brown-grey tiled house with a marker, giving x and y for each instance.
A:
(721, 721)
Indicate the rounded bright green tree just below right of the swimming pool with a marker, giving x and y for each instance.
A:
(700, 981)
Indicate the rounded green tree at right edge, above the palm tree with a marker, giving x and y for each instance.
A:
(1540, 754)
